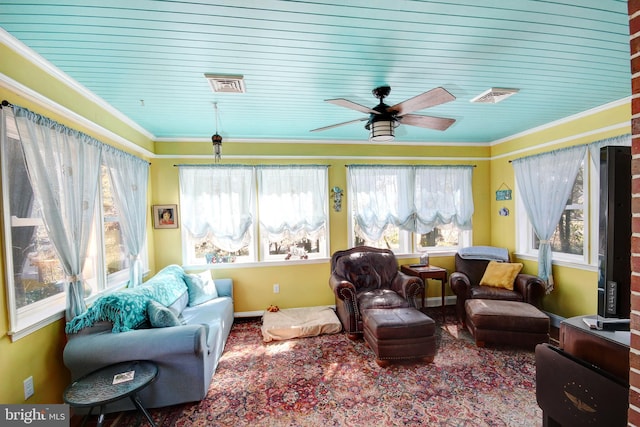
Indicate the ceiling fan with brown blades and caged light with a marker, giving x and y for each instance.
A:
(383, 119)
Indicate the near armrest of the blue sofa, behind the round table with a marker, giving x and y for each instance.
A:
(86, 353)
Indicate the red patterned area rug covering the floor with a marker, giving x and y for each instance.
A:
(329, 380)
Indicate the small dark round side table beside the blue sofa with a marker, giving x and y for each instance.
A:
(109, 384)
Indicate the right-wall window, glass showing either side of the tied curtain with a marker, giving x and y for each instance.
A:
(569, 242)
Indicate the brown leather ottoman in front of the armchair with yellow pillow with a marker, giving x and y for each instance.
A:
(506, 322)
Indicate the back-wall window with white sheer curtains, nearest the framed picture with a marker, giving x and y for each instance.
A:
(235, 214)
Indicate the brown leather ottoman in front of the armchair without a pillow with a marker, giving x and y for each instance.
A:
(396, 334)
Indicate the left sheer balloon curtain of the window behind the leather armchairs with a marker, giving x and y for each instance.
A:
(381, 196)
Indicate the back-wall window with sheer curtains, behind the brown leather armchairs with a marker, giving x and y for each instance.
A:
(391, 205)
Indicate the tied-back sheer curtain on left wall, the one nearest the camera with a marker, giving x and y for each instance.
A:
(64, 169)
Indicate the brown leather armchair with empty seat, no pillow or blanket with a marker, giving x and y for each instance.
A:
(364, 277)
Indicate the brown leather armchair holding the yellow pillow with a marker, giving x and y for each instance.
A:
(464, 282)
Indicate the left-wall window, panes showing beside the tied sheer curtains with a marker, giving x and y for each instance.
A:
(34, 276)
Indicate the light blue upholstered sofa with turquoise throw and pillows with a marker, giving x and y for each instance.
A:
(174, 319)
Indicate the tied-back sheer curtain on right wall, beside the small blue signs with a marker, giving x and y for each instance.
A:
(545, 182)
